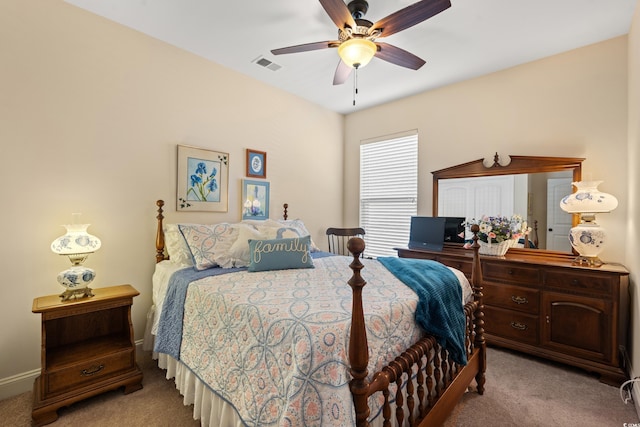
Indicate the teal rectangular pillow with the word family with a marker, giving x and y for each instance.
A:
(280, 254)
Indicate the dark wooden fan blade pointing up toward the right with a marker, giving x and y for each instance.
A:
(409, 16)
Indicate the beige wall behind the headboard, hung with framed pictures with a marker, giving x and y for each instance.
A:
(90, 116)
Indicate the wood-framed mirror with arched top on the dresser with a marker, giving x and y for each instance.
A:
(529, 186)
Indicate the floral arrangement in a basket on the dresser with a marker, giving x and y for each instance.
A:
(499, 233)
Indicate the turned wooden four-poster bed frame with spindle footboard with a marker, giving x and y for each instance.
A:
(438, 384)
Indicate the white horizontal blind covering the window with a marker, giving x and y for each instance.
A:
(388, 193)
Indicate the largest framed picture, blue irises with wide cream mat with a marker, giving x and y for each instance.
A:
(203, 180)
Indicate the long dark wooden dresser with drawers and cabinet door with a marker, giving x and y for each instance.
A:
(543, 305)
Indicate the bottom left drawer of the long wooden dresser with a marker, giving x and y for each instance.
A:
(511, 324)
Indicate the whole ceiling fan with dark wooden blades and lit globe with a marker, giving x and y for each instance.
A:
(357, 37)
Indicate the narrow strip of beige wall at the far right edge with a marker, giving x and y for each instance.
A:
(633, 222)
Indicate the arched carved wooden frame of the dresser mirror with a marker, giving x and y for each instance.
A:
(516, 165)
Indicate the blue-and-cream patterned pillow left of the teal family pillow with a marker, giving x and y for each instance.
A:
(209, 245)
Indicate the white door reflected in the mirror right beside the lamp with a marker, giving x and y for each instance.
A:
(558, 221)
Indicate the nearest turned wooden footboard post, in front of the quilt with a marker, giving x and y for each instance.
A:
(358, 347)
